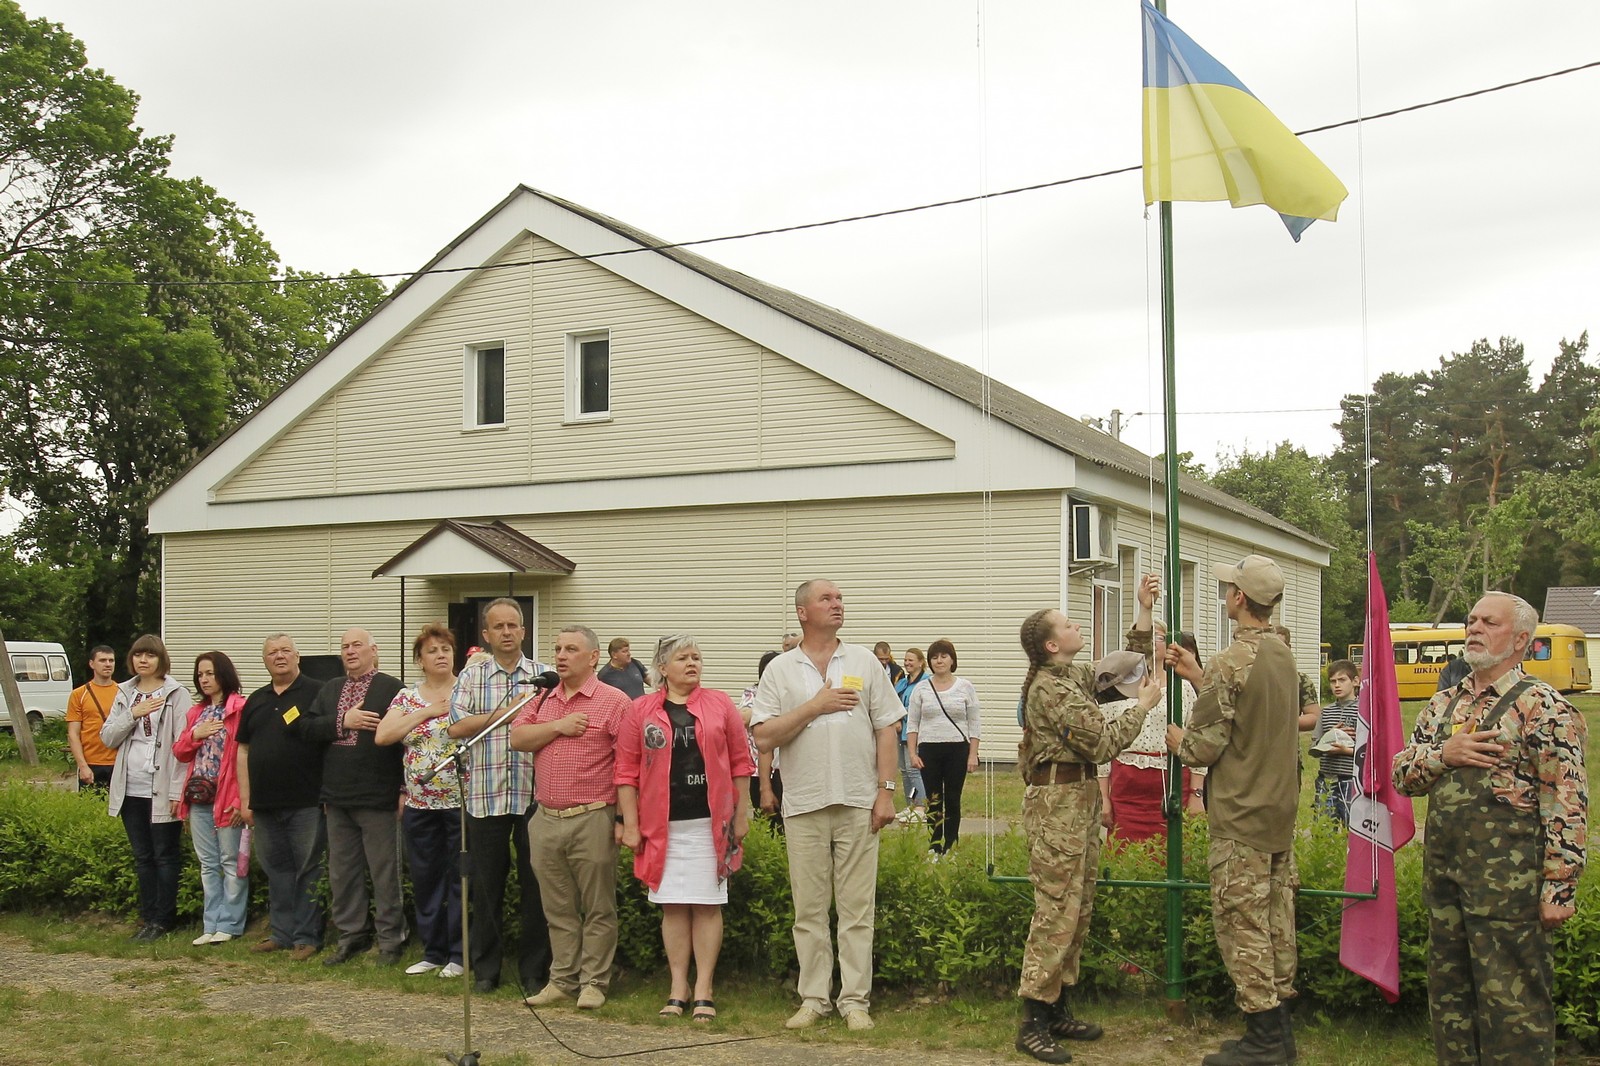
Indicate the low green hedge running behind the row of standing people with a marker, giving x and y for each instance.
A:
(946, 926)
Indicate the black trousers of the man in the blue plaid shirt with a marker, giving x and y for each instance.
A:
(490, 843)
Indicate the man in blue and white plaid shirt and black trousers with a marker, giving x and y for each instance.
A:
(500, 803)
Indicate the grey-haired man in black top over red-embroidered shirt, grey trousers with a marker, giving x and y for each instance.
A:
(361, 796)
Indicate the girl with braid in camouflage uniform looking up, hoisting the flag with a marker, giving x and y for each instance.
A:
(1065, 735)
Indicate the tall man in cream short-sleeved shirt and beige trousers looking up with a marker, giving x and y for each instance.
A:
(831, 708)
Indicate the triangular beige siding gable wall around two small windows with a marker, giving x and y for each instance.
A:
(687, 396)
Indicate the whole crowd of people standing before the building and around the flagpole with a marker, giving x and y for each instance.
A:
(561, 767)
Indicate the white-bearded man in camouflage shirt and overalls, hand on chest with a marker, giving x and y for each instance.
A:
(1502, 759)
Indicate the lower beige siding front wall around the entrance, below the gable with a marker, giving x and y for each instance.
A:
(926, 569)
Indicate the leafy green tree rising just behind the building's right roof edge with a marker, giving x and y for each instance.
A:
(1305, 492)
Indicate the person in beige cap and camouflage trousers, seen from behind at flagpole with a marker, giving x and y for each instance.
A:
(1246, 726)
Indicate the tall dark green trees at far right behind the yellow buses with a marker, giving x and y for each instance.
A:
(1479, 478)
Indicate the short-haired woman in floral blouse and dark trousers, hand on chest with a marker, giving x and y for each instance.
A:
(431, 824)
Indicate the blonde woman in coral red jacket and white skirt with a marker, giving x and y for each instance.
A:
(682, 775)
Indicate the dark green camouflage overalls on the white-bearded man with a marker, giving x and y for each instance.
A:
(1489, 958)
